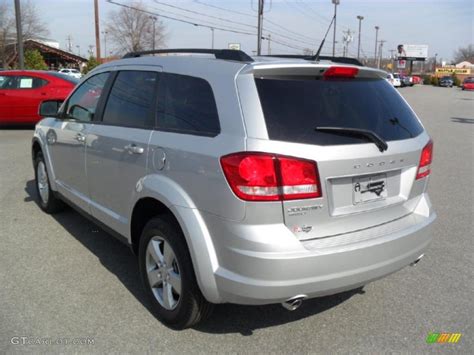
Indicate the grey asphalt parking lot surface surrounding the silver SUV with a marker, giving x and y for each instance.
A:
(63, 278)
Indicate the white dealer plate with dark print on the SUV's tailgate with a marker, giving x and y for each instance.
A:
(369, 188)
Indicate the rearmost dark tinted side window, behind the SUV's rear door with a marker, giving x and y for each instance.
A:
(187, 105)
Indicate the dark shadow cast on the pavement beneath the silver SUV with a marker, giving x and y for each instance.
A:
(226, 318)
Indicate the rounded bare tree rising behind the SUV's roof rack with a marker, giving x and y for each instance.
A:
(131, 29)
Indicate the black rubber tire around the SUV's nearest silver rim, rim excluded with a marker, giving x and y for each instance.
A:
(191, 307)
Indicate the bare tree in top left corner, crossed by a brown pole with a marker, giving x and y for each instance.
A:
(31, 23)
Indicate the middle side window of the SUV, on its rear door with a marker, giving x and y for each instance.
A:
(131, 99)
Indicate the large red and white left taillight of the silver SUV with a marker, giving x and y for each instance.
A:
(257, 176)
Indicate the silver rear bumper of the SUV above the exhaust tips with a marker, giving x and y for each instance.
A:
(321, 268)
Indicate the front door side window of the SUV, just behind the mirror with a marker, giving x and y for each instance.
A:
(83, 103)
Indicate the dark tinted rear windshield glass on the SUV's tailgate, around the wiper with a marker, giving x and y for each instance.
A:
(294, 106)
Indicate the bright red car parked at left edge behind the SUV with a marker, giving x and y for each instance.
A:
(22, 91)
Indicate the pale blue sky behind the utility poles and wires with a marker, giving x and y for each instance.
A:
(444, 25)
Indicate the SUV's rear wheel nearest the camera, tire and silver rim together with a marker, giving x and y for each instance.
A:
(168, 276)
